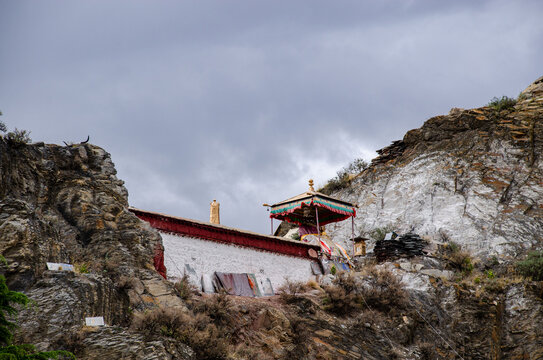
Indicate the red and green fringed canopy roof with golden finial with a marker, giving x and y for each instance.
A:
(312, 207)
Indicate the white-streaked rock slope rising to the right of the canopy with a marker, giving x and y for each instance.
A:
(473, 177)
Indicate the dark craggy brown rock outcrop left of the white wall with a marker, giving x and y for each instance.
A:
(65, 204)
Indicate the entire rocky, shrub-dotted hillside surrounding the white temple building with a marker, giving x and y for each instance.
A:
(468, 182)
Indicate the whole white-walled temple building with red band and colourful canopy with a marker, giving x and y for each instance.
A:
(247, 263)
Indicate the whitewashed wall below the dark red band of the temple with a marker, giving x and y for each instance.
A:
(206, 257)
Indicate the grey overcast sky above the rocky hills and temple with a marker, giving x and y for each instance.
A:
(244, 101)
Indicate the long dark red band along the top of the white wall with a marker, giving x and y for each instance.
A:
(225, 235)
